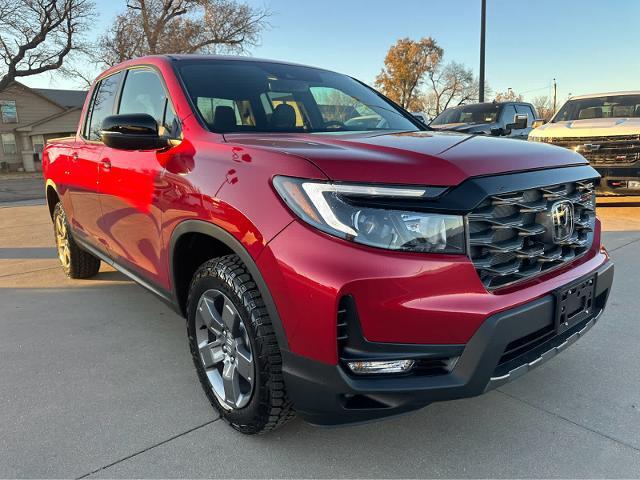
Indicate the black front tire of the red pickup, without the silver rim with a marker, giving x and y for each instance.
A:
(268, 407)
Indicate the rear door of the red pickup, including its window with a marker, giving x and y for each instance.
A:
(85, 163)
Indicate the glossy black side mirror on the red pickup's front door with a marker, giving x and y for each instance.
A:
(132, 131)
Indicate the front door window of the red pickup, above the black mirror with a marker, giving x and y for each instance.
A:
(143, 92)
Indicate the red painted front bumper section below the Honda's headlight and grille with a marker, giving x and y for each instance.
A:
(401, 298)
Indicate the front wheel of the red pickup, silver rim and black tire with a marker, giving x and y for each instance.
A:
(234, 347)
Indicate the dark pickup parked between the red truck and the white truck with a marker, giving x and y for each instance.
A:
(503, 119)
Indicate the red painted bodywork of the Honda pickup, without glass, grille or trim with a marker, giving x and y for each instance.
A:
(131, 210)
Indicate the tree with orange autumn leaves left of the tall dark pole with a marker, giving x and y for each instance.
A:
(405, 66)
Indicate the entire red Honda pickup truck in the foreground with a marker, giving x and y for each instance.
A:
(332, 255)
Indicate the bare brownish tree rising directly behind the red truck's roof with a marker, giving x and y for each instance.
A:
(152, 27)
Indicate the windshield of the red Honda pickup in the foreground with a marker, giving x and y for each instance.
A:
(245, 96)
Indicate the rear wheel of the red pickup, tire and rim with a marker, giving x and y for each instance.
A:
(76, 262)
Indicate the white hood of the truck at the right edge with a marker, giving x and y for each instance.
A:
(594, 127)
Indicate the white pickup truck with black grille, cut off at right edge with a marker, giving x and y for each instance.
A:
(605, 129)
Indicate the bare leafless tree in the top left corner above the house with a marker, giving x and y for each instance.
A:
(37, 35)
